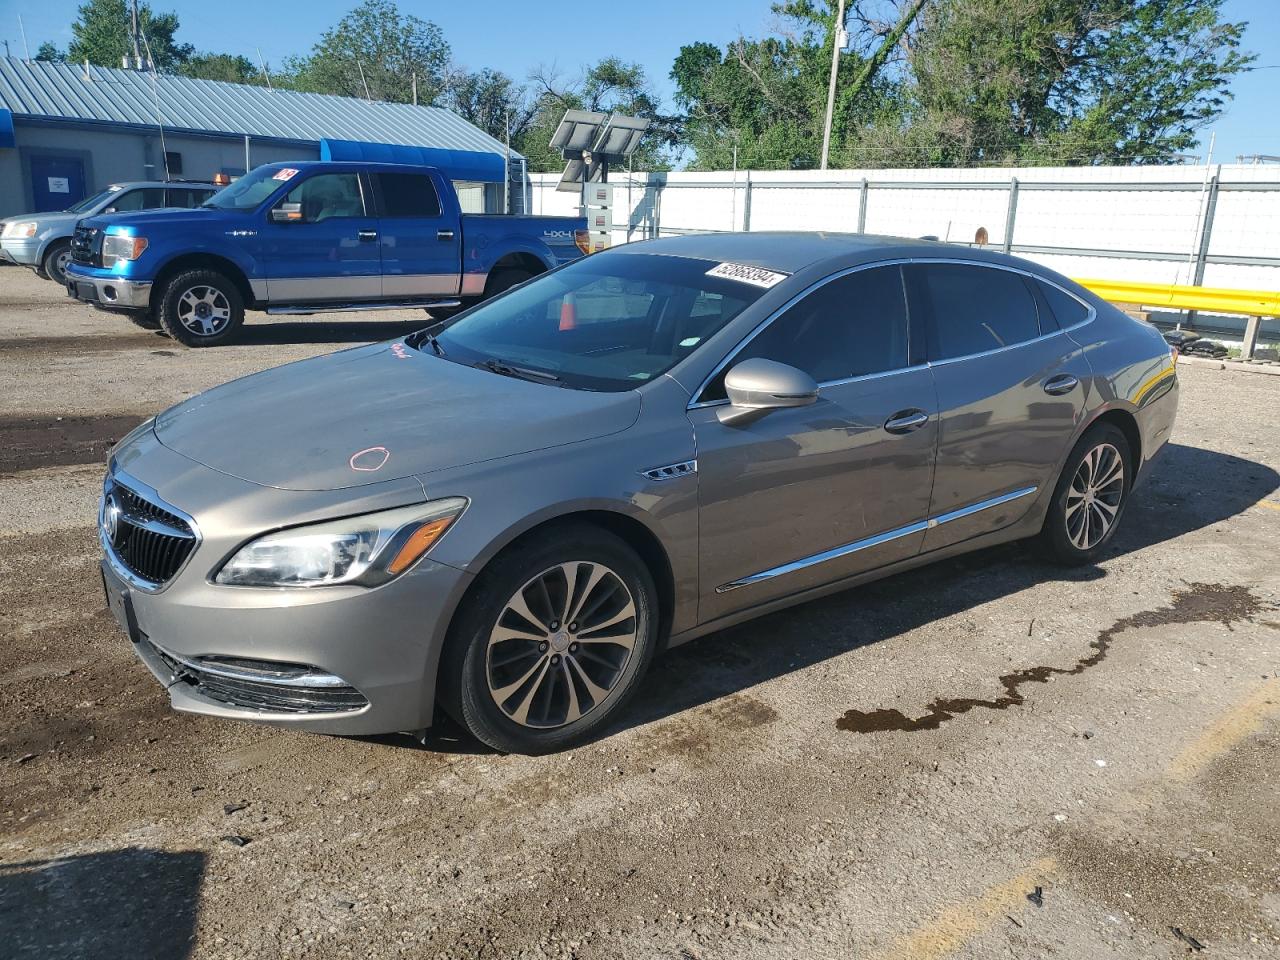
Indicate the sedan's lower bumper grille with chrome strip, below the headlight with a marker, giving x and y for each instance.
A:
(262, 685)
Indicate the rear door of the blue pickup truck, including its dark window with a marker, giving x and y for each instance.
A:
(419, 235)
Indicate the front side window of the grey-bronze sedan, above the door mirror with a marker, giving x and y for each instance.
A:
(851, 327)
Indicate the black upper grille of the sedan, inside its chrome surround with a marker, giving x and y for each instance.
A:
(148, 540)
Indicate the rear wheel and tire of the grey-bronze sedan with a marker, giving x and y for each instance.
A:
(1090, 499)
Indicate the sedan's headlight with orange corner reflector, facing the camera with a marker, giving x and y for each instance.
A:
(368, 550)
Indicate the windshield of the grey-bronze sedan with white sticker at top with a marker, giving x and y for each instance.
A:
(605, 323)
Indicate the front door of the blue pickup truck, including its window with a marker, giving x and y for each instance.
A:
(328, 252)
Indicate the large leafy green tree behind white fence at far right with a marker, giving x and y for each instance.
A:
(1069, 81)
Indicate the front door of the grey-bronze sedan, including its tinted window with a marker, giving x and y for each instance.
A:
(807, 496)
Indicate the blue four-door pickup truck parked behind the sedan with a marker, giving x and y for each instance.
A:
(312, 237)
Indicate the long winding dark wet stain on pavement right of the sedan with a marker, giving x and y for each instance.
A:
(1199, 604)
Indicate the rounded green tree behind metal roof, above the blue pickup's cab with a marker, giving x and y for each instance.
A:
(377, 48)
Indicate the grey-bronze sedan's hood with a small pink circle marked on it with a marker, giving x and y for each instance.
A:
(380, 413)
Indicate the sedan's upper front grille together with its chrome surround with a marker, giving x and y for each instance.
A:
(147, 541)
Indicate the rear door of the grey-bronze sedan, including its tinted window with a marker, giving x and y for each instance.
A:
(1012, 390)
